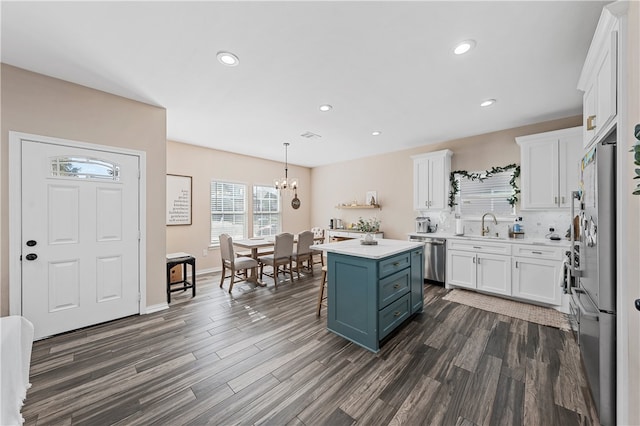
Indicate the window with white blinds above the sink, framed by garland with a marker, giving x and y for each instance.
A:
(489, 195)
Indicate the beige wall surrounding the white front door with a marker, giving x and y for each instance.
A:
(34, 103)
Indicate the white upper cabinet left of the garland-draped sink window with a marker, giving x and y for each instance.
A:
(431, 180)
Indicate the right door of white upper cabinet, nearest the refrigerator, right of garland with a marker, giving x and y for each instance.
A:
(570, 154)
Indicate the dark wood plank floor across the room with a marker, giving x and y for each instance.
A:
(262, 357)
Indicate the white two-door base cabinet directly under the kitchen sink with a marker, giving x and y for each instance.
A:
(474, 265)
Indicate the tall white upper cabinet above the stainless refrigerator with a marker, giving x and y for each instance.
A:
(599, 79)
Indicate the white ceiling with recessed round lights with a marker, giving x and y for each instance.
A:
(385, 65)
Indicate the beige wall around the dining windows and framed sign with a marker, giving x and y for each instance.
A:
(205, 165)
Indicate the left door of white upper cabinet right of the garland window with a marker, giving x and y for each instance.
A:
(539, 174)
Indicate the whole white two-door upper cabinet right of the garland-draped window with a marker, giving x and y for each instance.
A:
(549, 168)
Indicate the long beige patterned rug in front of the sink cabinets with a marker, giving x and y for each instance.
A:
(511, 308)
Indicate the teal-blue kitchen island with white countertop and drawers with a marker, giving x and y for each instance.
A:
(372, 289)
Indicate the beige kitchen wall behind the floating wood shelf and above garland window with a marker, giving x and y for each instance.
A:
(391, 175)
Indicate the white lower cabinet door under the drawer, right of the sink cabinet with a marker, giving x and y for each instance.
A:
(537, 280)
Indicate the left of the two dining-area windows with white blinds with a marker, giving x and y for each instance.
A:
(228, 211)
